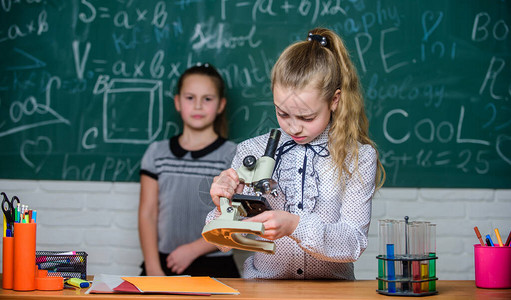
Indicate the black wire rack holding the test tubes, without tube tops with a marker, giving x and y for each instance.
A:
(407, 285)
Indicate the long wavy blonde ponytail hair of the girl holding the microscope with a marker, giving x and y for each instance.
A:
(328, 69)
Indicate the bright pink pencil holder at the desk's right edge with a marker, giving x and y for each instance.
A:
(492, 267)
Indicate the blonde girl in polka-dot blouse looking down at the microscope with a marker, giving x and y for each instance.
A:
(327, 167)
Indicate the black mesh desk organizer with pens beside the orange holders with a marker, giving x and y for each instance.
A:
(67, 264)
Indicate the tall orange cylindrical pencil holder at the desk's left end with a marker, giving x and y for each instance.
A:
(24, 256)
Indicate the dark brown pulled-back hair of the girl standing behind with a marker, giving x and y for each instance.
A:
(220, 124)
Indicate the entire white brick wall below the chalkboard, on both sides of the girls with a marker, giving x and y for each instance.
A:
(100, 218)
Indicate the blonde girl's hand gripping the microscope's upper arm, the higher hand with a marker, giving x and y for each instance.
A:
(225, 185)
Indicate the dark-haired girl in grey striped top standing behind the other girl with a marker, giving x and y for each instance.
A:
(175, 177)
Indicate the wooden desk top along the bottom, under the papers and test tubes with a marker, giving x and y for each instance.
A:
(285, 289)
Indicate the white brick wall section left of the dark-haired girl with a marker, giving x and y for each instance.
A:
(99, 218)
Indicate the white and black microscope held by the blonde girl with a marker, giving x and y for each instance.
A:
(228, 229)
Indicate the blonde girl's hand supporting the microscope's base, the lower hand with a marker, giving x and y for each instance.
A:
(277, 223)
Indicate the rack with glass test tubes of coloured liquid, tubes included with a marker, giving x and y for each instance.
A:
(407, 260)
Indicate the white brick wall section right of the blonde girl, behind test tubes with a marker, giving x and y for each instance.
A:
(455, 211)
